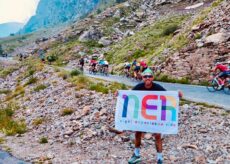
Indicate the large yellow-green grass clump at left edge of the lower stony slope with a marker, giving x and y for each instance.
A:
(8, 125)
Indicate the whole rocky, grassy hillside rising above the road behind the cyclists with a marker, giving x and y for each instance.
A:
(169, 35)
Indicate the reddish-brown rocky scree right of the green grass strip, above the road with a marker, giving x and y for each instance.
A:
(209, 42)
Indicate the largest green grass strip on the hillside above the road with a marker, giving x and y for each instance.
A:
(148, 42)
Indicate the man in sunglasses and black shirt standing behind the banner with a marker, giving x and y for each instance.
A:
(148, 85)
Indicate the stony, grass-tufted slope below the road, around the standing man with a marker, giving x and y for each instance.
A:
(58, 121)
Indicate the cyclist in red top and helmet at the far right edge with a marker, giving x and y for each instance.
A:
(224, 73)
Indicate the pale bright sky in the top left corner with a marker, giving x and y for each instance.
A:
(17, 10)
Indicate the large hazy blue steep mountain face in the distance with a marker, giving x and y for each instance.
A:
(55, 12)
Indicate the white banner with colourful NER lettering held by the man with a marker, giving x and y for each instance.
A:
(147, 111)
